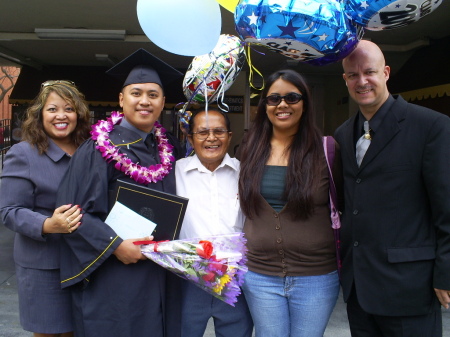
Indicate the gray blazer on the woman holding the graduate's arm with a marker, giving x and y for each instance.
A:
(28, 192)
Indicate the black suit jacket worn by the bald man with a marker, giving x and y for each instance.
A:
(396, 221)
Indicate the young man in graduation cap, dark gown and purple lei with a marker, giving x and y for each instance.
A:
(116, 290)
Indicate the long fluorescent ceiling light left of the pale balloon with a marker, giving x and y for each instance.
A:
(79, 34)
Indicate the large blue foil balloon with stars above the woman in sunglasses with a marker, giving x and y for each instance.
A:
(317, 32)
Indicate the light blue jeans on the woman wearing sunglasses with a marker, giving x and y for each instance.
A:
(295, 306)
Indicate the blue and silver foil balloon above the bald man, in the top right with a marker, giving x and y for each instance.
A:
(388, 14)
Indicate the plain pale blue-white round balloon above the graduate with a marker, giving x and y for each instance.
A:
(181, 27)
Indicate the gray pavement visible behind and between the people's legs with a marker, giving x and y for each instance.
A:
(9, 312)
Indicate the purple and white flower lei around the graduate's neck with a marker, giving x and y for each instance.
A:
(142, 175)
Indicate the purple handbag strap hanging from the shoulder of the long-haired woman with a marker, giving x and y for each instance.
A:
(329, 150)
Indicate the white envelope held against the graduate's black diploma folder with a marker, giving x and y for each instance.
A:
(128, 224)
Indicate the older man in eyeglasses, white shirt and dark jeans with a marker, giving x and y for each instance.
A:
(210, 180)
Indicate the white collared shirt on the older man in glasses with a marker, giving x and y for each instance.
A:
(213, 206)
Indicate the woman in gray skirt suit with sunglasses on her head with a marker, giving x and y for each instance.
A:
(57, 122)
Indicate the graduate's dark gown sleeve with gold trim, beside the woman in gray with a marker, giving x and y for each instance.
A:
(86, 184)
